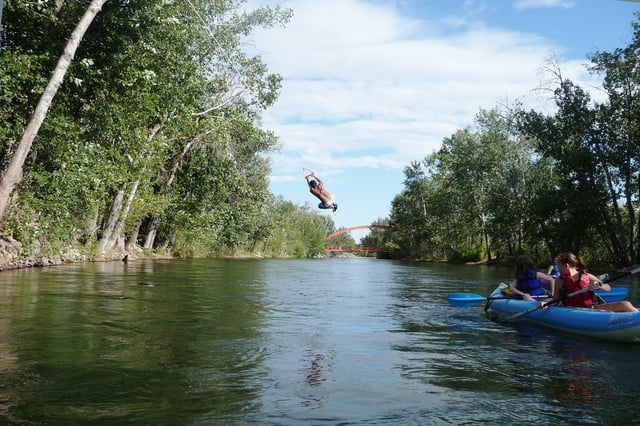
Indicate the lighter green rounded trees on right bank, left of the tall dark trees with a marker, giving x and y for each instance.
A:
(489, 192)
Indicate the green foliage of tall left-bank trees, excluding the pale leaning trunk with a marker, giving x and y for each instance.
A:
(161, 104)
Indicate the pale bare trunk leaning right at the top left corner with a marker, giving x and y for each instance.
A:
(13, 175)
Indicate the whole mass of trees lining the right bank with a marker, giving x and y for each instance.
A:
(522, 181)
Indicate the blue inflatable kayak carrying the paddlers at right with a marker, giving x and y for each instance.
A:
(616, 326)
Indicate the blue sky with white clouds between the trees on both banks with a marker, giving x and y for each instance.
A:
(370, 86)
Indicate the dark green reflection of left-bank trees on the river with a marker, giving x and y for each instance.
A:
(113, 348)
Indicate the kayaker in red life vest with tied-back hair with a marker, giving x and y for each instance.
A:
(574, 277)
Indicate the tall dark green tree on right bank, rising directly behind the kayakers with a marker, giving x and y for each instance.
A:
(576, 141)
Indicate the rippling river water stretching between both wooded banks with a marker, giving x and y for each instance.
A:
(291, 342)
